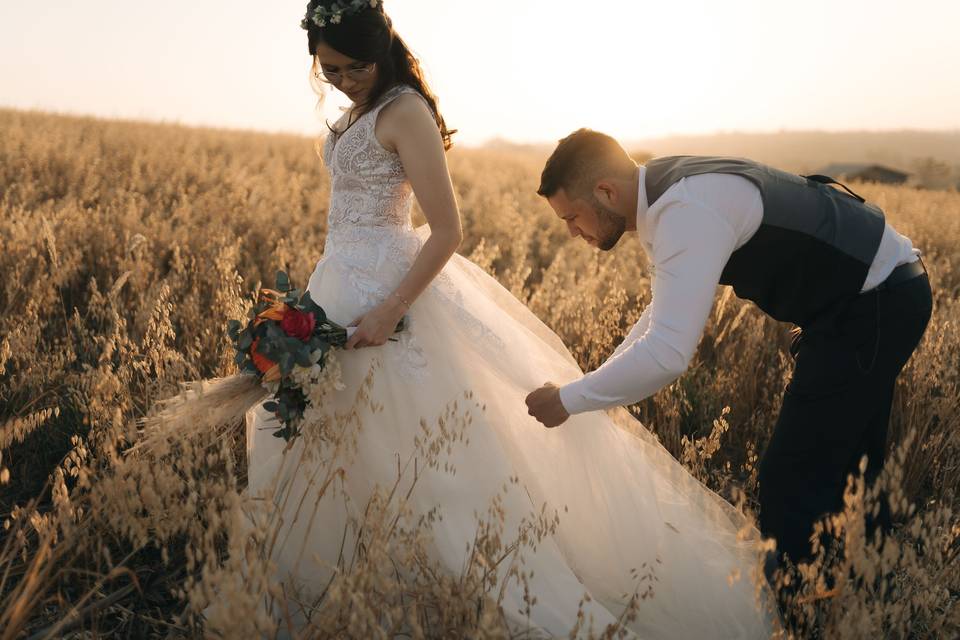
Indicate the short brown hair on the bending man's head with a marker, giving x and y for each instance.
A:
(581, 160)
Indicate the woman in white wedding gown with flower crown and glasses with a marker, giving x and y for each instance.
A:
(625, 506)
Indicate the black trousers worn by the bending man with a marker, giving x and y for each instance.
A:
(836, 409)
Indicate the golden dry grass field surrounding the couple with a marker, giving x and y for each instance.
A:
(125, 247)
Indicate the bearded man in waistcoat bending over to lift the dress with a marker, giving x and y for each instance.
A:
(802, 251)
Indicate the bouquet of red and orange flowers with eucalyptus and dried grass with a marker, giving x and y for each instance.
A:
(283, 345)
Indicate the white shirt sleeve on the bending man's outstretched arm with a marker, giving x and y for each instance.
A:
(691, 245)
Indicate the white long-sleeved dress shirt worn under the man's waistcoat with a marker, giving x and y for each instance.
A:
(688, 235)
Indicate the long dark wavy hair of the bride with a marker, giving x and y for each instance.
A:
(368, 36)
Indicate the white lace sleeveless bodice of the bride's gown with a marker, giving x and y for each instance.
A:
(368, 186)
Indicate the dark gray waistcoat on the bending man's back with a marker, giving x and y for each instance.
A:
(814, 246)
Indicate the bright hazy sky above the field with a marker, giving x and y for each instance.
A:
(527, 70)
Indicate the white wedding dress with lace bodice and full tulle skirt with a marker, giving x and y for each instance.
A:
(624, 501)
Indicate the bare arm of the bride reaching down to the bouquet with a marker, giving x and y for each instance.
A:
(407, 127)
